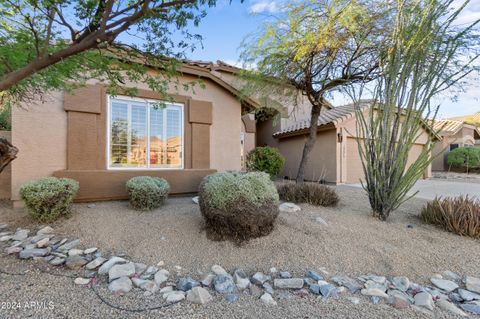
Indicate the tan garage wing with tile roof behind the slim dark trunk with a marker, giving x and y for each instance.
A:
(335, 157)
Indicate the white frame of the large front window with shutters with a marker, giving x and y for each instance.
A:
(128, 99)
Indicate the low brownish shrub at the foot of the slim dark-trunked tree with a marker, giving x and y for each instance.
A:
(311, 193)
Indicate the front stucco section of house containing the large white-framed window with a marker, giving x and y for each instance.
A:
(102, 140)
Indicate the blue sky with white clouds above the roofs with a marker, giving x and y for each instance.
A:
(227, 24)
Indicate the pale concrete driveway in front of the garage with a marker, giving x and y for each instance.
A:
(431, 188)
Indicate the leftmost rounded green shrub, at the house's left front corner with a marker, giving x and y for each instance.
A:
(49, 198)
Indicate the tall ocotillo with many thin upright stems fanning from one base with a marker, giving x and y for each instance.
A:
(427, 53)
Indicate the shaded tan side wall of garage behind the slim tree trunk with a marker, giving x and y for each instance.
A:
(322, 161)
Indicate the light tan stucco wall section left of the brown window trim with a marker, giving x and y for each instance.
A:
(40, 133)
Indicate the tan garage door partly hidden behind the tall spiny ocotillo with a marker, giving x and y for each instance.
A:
(354, 164)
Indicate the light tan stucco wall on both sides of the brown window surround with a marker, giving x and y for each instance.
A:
(40, 133)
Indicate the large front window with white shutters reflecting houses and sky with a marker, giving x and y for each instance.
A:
(144, 135)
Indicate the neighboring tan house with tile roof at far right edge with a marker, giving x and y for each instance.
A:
(454, 133)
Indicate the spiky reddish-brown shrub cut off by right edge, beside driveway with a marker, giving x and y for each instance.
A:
(460, 215)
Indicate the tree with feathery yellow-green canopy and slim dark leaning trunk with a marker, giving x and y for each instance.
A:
(315, 48)
